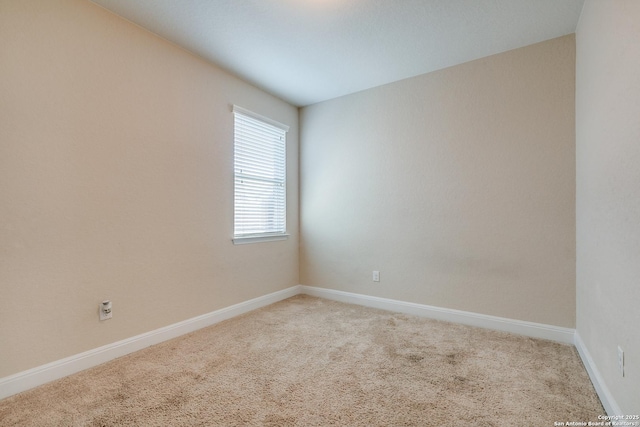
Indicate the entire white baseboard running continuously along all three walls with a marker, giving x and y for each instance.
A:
(61, 368)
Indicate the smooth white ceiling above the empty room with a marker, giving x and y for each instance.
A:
(307, 51)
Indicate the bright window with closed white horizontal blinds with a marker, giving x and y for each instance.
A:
(260, 178)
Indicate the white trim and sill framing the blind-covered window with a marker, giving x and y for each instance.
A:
(266, 236)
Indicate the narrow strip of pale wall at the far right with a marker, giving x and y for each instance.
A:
(608, 192)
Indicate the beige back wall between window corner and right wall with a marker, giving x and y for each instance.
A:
(458, 186)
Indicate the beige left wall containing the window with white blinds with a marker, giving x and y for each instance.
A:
(116, 155)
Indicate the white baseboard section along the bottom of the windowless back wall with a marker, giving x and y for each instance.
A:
(530, 329)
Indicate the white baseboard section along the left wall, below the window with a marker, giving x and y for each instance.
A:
(61, 368)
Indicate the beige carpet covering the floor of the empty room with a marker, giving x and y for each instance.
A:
(312, 362)
